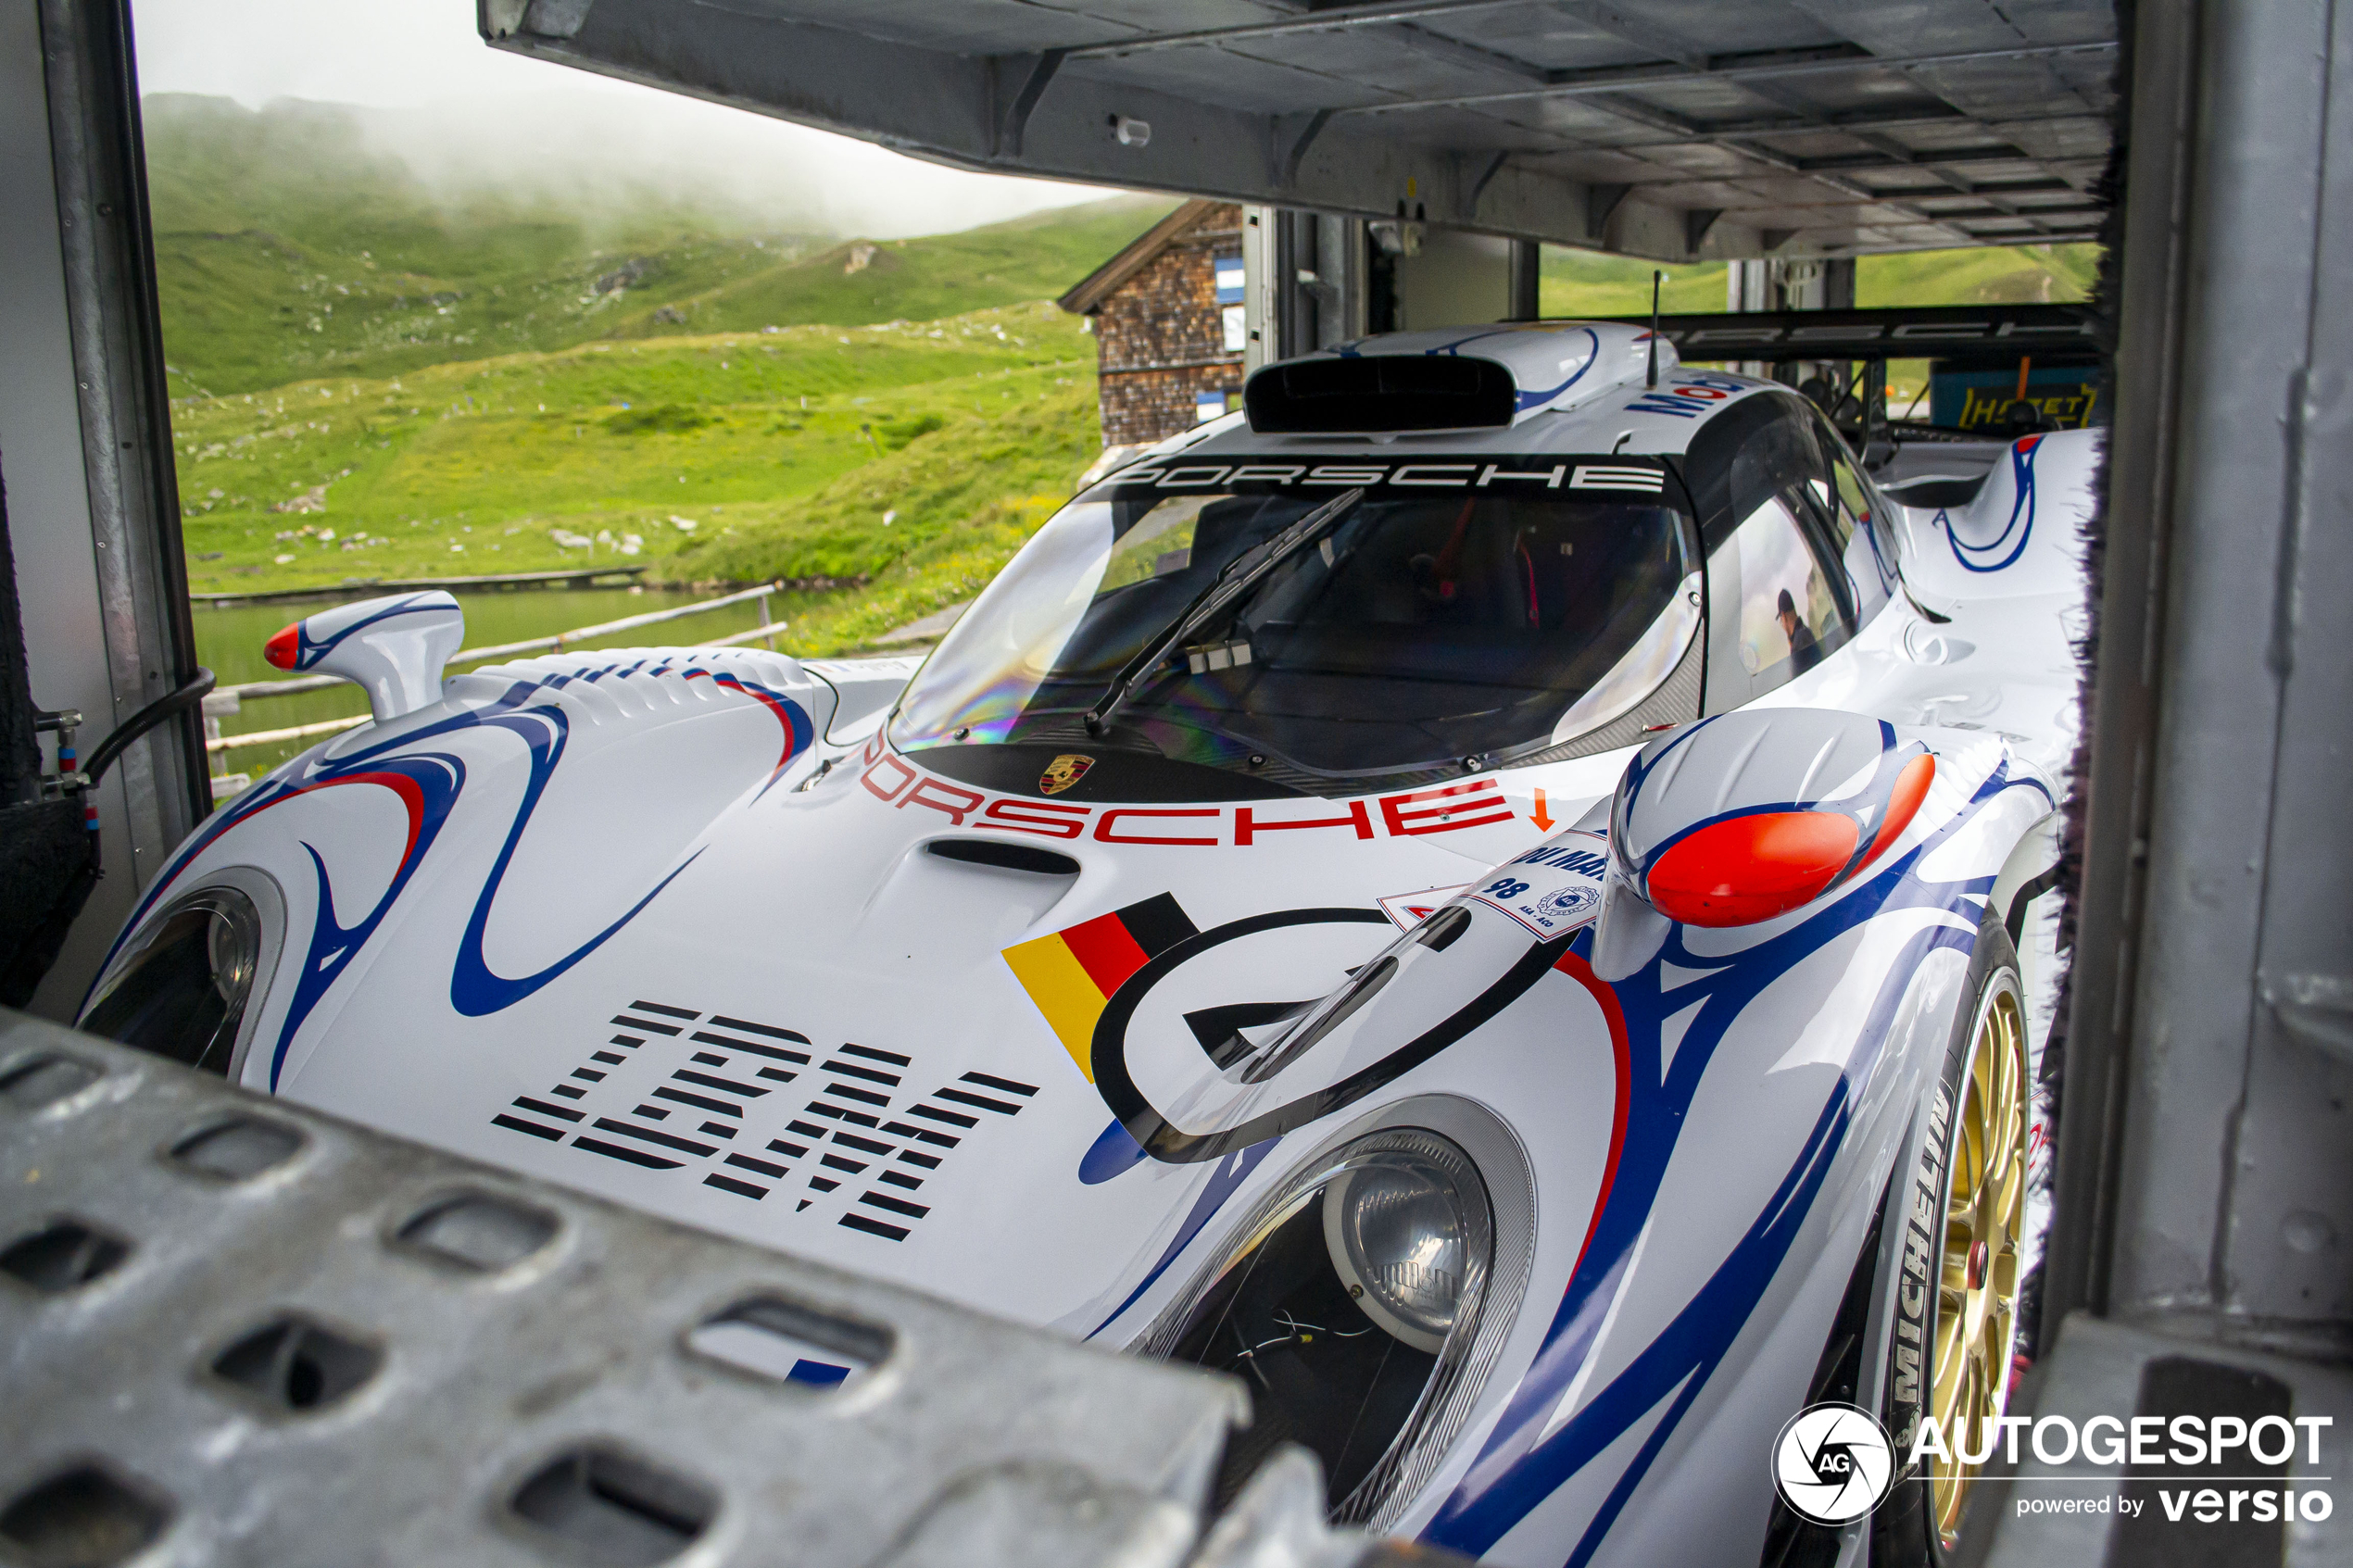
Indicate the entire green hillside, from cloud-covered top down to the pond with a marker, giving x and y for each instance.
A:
(378, 382)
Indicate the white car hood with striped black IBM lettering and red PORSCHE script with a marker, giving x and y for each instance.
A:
(829, 1036)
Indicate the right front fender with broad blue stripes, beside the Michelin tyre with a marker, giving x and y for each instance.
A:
(1768, 1083)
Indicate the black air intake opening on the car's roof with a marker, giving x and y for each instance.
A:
(1380, 394)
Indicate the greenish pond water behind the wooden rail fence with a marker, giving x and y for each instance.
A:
(229, 643)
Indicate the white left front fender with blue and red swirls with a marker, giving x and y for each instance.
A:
(554, 796)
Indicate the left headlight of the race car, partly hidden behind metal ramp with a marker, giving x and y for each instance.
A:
(182, 991)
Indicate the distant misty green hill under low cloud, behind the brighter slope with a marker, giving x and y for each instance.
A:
(288, 250)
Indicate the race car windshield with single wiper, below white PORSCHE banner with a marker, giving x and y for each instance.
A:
(1432, 622)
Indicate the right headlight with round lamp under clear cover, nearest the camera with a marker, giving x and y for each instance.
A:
(1349, 1304)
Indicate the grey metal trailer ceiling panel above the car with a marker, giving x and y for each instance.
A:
(1677, 130)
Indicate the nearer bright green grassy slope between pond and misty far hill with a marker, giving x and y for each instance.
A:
(540, 462)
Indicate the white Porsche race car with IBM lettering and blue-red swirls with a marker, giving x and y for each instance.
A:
(1498, 897)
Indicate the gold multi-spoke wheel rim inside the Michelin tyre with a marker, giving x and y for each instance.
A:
(1978, 1294)
